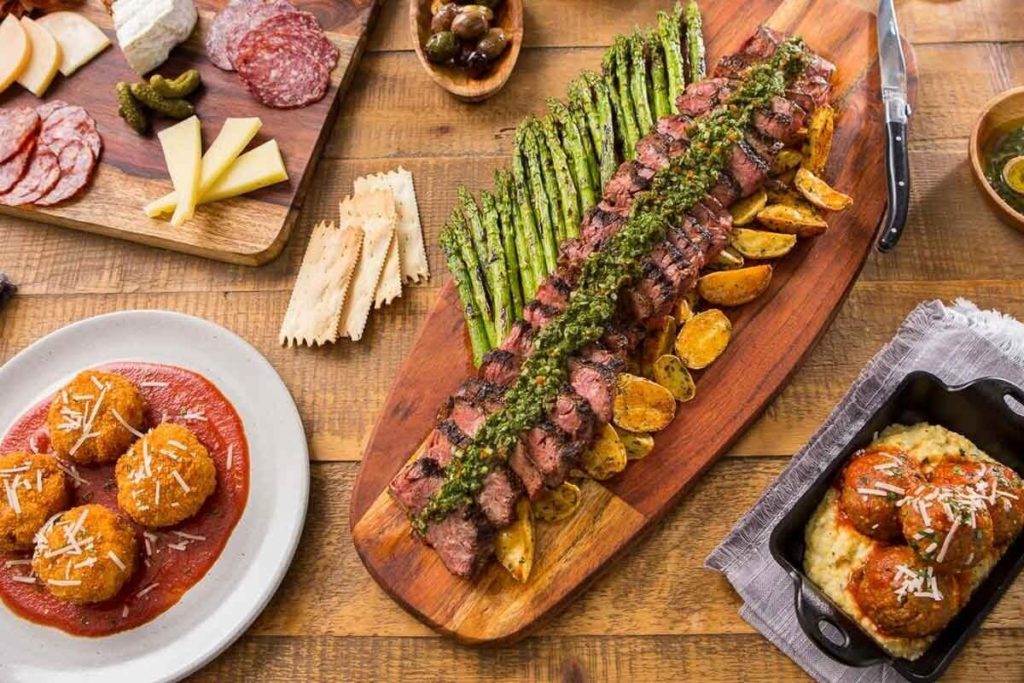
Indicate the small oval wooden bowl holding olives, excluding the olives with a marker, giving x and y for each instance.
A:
(458, 81)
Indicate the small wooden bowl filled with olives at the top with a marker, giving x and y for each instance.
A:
(468, 48)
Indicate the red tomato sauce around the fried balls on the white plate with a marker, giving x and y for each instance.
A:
(173, 561)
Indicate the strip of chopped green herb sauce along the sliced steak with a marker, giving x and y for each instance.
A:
(592, 305)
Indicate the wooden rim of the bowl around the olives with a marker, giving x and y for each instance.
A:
(502, 71)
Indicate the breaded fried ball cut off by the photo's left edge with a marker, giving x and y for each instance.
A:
(35, 490)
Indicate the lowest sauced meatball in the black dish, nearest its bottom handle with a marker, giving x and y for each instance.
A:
(905, 597)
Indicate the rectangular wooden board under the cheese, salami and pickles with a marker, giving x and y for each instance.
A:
(250, 230)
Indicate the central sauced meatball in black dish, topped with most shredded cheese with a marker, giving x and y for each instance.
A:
(948, 527)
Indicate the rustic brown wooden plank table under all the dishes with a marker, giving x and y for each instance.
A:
(657, 615)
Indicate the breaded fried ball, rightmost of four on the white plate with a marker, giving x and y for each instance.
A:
(166, 478)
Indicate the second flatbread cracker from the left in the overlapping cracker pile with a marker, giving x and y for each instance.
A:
(375, 214)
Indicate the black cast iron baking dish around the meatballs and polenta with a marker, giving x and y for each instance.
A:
(980, 412)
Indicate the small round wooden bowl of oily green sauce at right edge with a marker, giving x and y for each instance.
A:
(998, 155)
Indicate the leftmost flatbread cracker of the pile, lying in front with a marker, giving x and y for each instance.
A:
(321, 287)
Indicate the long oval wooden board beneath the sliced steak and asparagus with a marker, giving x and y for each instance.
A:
(771, 337)
